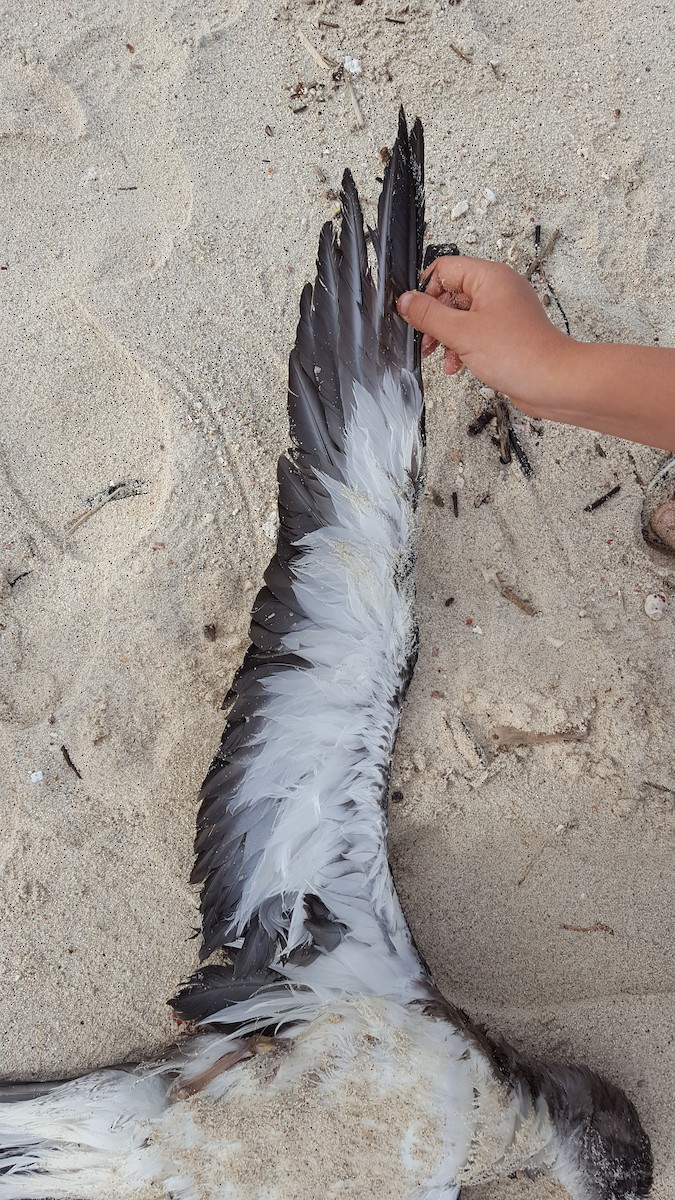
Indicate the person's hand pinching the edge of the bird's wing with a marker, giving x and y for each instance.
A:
(491, 321)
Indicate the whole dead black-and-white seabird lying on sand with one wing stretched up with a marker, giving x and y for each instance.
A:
(327, 1061)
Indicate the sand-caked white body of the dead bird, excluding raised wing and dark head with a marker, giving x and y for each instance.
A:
(371, 1097)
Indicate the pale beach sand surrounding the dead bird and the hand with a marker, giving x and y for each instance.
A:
(162, 202)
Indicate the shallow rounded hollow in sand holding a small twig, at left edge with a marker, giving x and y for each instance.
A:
(77, 496)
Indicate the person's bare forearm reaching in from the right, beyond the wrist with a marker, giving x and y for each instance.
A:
(625, 391)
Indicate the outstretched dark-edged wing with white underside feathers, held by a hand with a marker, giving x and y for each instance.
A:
(291, 837)
